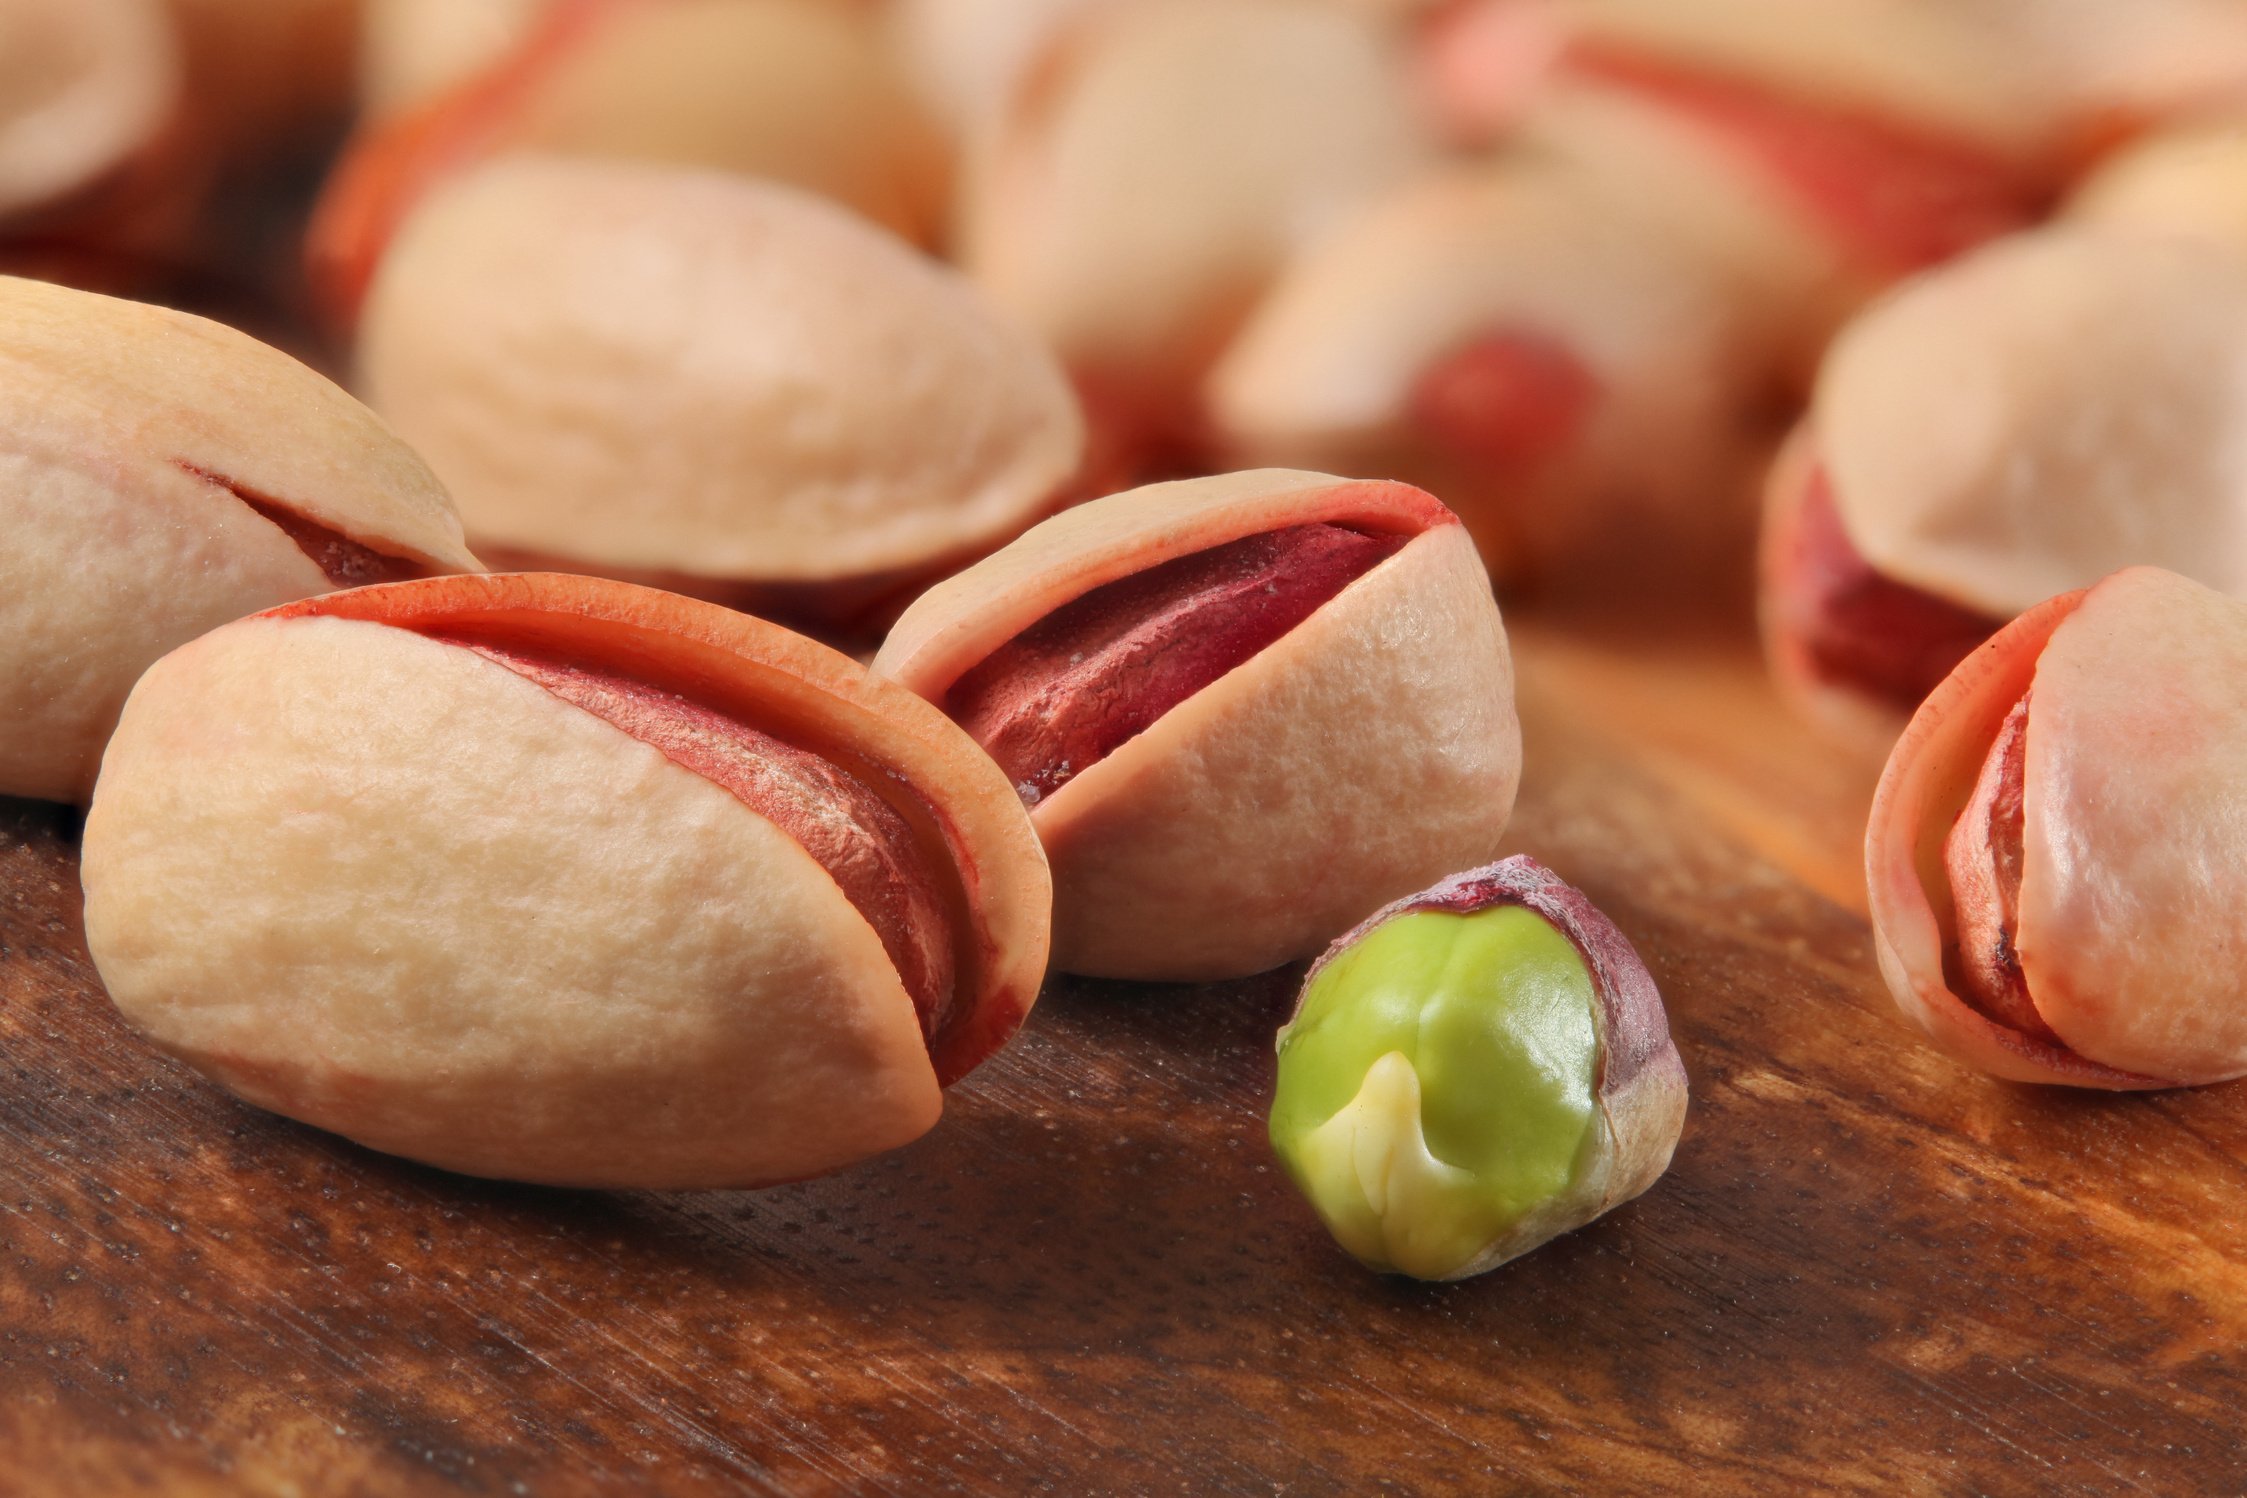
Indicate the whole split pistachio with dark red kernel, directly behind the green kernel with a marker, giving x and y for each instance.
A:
(1246, 711)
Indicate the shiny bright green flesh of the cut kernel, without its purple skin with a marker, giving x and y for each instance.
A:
(1439, 1086)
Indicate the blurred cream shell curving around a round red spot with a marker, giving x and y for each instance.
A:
(1668, 286)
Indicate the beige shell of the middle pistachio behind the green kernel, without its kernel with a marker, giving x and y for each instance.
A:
(1367, 753)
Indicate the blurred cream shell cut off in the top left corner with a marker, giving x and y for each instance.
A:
(84, 89)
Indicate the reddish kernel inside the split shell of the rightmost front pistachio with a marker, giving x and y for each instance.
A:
(1983, 857)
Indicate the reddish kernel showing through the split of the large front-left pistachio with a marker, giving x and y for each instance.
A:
(857, 837)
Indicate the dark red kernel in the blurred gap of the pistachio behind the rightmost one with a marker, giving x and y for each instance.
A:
(1857, 628)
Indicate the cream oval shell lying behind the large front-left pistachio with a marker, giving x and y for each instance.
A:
(684, 372)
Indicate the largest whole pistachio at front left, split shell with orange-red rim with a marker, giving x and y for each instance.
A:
(561, 879)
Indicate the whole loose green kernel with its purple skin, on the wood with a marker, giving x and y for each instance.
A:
(1475, 1072)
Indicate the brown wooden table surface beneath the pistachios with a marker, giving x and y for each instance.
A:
(1868, 1270)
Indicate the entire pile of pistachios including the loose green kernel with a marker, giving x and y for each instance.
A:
(848, 513)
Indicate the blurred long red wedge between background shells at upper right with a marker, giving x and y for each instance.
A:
(1902, 194)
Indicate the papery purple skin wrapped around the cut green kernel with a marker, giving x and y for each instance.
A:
(1641, 1077)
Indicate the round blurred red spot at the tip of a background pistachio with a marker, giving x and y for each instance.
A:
(1511, 399)
